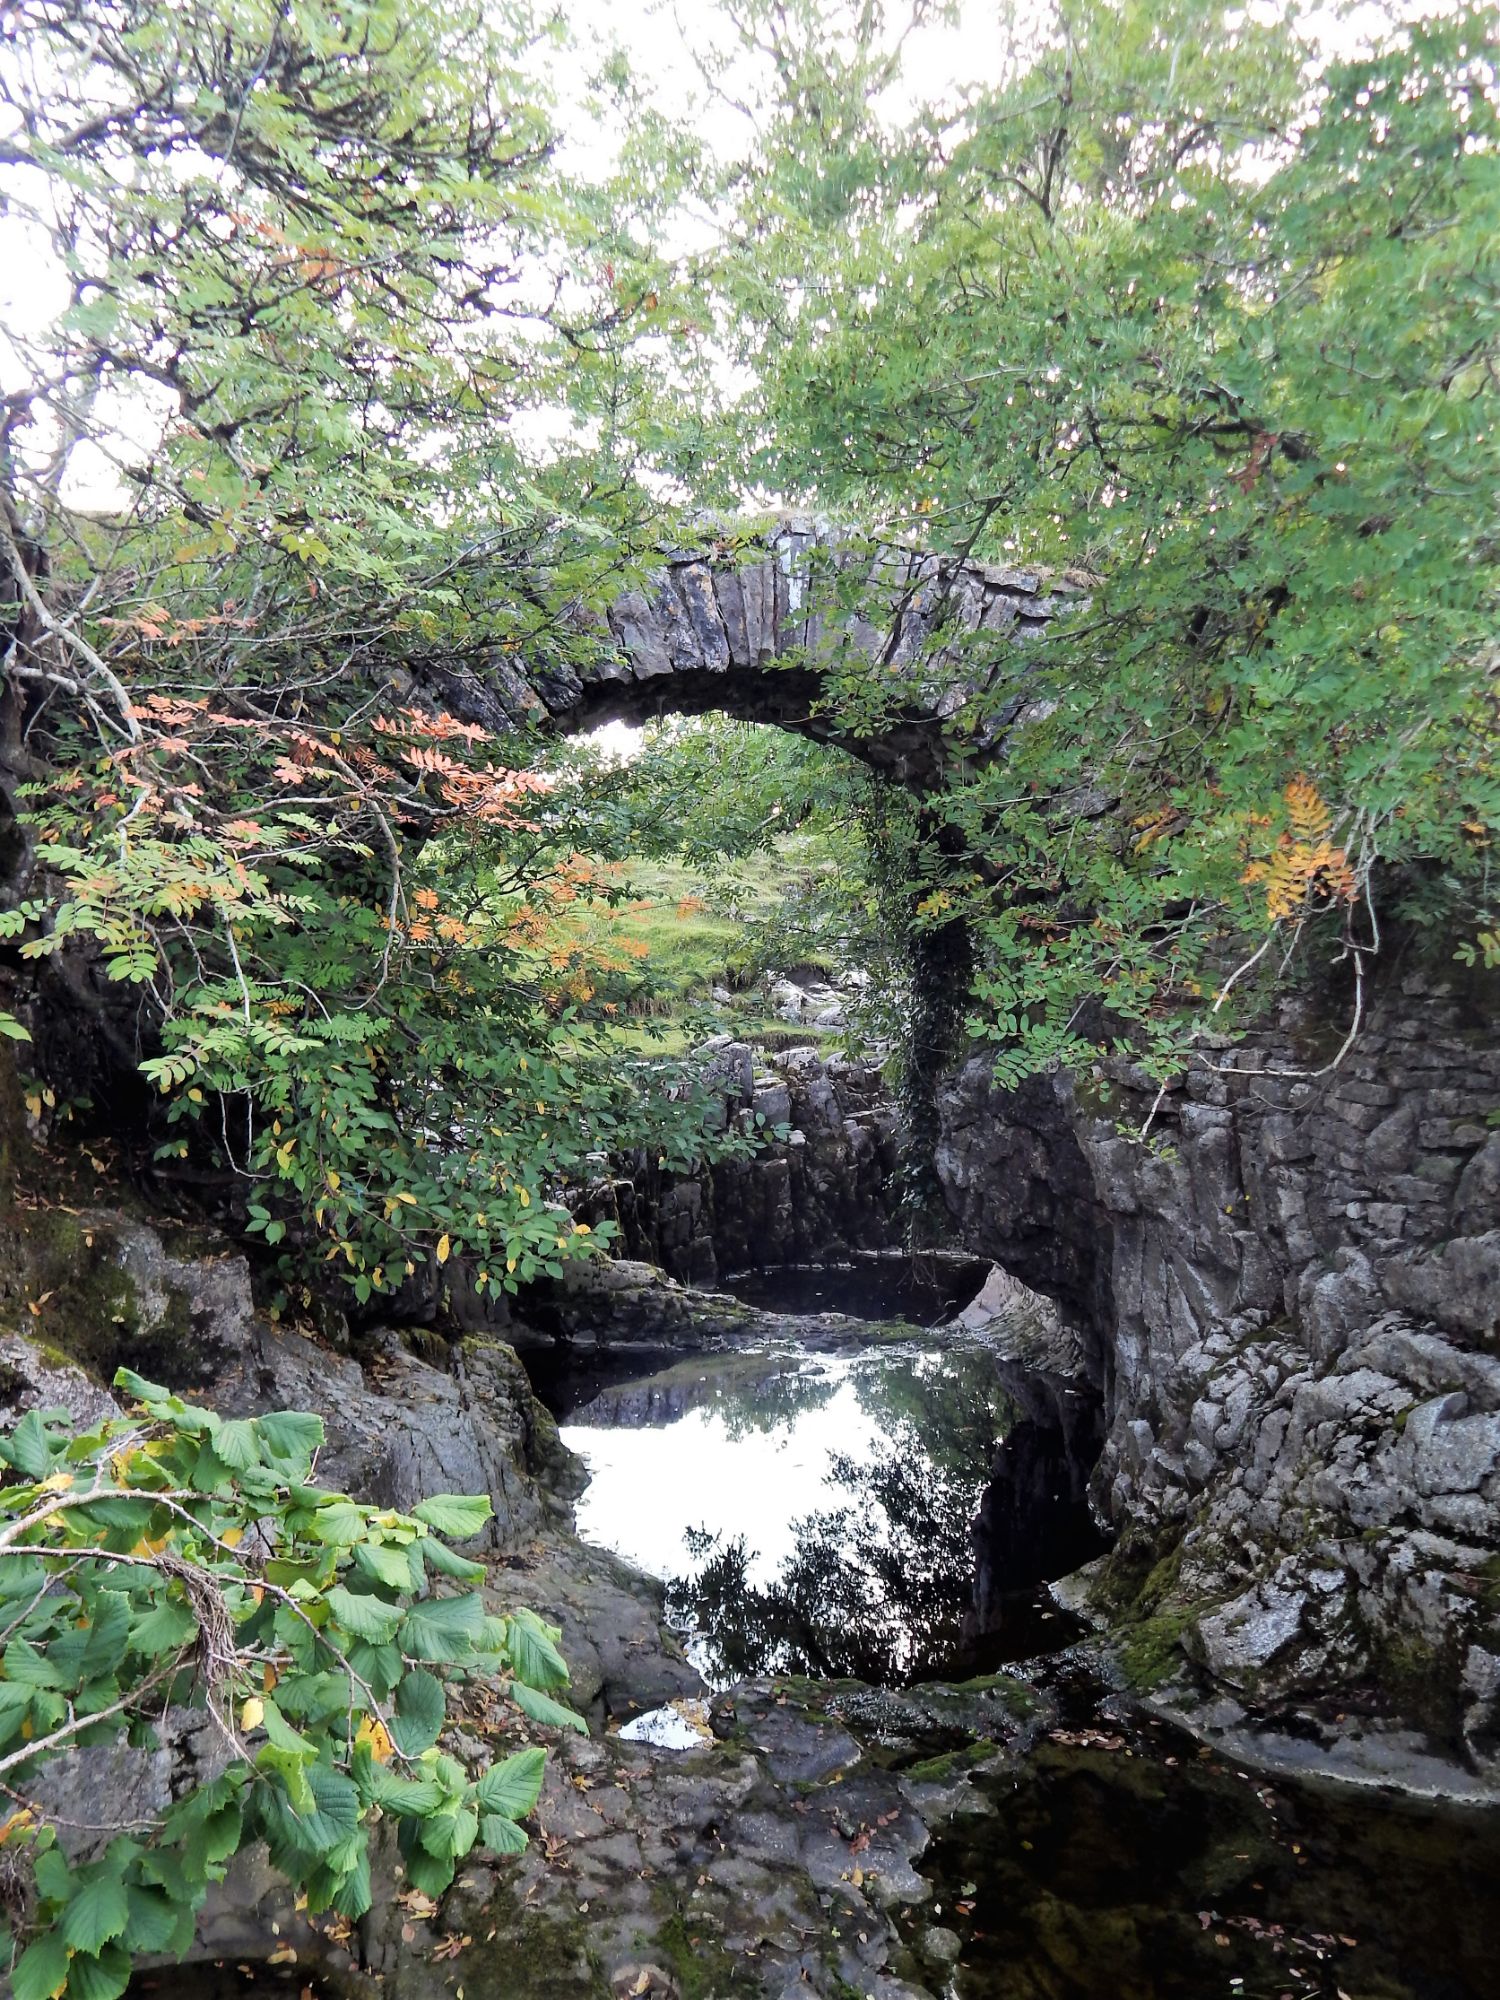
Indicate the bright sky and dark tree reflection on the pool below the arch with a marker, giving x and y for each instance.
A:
(811, 1515)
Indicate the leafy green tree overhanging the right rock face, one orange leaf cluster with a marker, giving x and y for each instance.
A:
(1203, 309)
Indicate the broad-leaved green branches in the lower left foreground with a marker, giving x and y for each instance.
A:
(173, 1567)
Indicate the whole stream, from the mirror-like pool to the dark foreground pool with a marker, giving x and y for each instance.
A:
(811, 1513)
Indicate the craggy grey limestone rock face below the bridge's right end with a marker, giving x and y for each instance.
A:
(1291, 1311)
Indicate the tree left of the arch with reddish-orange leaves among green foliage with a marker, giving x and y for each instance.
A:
(267, 505)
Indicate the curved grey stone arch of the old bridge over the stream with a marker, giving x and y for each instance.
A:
(759, 633)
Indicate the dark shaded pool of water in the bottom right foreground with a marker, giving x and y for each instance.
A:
(1123, 1863)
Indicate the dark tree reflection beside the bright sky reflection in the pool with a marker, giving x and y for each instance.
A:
(879, 1583)
